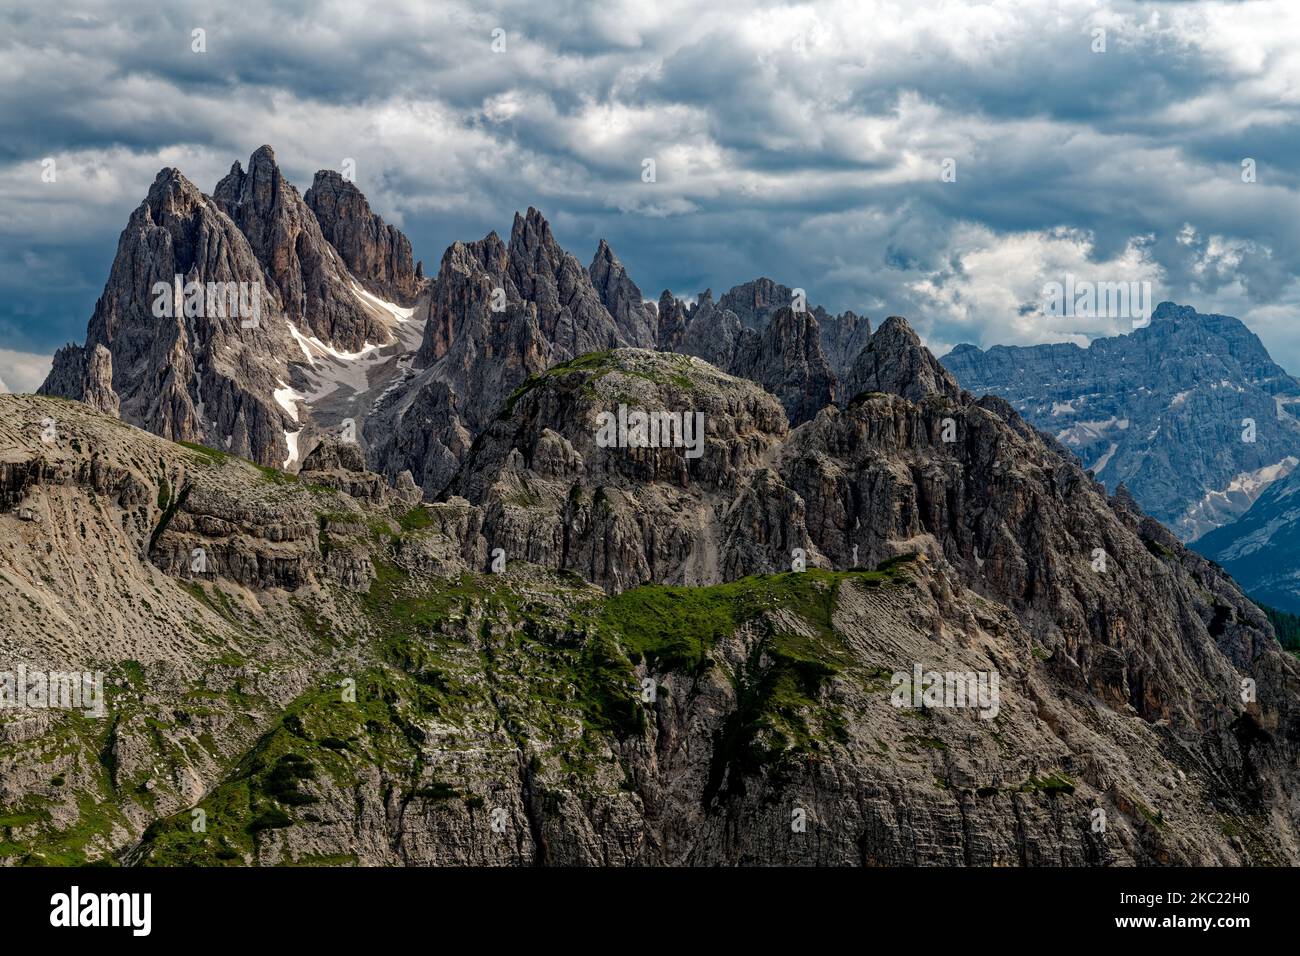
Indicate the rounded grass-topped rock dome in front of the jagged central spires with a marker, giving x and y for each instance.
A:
(556, 492)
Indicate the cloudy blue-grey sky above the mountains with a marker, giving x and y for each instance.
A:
(805, 142)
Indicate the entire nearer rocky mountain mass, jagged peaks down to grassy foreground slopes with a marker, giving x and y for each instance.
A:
(636, 583)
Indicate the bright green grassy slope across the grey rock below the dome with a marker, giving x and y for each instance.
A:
(573, 641)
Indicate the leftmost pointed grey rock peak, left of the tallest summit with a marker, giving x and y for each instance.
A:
(200, 361)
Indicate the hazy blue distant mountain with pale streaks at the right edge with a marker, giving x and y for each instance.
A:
(1190, 413)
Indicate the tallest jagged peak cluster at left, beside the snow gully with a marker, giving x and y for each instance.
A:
(265, 314)
